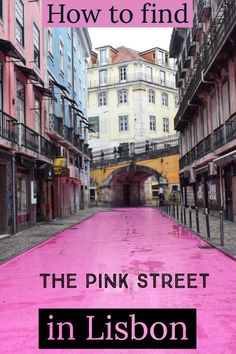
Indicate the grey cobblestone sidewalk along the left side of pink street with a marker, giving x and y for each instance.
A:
(13, 245)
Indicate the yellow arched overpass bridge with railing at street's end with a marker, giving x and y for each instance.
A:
(132, 176)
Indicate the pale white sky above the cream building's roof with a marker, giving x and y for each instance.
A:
(136, 38)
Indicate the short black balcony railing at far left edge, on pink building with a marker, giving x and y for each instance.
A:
(8, 127)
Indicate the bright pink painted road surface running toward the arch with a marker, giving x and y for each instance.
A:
(124, 240)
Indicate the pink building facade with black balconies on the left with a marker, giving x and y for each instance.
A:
(28, 187)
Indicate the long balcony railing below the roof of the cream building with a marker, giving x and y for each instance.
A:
(132, 77)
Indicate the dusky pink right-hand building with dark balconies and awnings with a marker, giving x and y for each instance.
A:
(206, 119)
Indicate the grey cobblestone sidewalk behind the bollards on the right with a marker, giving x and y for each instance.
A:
(214, 224)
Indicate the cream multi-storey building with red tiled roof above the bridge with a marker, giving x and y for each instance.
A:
(131, 96)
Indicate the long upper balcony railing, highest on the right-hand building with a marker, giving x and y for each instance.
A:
(221, 26)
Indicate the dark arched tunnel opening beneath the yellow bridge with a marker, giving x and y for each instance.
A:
(125, 185)
